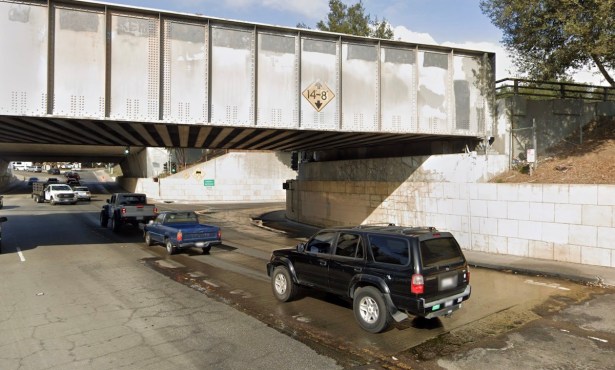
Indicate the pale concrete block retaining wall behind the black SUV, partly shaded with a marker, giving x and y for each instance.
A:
(571, 223)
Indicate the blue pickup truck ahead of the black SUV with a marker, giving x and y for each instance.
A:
(181, 230)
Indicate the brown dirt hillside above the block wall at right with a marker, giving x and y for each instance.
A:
(592, 162)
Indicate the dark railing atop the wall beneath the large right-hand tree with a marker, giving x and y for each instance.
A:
(552, 90)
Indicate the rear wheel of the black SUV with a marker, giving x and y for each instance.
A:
(371, 310)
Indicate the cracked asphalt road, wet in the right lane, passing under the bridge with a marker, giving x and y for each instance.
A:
(511, 320)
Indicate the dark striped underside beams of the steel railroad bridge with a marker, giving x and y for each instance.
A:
(42, 132)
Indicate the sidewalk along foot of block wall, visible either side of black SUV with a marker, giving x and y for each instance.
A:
(587, 274)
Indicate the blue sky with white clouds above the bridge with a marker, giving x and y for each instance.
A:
(458, 23)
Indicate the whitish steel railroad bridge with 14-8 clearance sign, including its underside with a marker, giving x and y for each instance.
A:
(83, 79)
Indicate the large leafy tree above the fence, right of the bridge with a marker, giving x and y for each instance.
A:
(551, 38)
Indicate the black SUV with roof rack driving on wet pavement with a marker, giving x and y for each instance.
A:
(388, 272)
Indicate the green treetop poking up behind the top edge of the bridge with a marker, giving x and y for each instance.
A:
(352, 20)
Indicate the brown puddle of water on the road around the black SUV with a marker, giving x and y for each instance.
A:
(501, 302)
